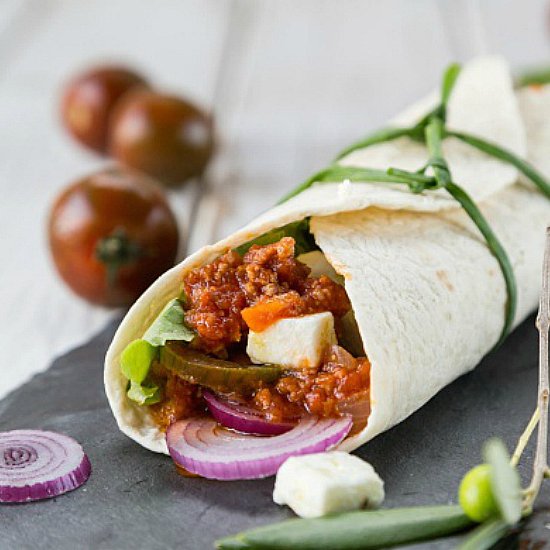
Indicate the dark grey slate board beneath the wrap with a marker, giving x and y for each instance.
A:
(135, 499)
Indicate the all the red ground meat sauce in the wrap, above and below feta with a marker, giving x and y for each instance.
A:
(269, 280)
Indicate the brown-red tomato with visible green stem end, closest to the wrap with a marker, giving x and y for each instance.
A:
(111, 235)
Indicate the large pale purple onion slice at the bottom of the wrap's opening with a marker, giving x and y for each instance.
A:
(203, 447)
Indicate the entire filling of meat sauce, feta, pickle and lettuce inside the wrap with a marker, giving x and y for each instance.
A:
(260, 329)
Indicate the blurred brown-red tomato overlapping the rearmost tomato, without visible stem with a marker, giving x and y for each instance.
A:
(164, 136)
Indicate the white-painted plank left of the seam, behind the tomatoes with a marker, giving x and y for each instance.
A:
(176, 42)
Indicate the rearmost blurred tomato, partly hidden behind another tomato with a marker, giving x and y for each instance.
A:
(89, 100)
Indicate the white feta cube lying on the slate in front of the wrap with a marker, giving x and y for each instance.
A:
(325, 483)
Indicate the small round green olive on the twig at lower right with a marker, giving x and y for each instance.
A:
(475, 494)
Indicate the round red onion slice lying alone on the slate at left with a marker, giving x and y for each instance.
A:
(36, 464)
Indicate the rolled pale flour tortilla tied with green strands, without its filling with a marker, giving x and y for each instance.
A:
(428, 296)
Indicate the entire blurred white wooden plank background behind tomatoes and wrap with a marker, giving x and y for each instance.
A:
(289, 81)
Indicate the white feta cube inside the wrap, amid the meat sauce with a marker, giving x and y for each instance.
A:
(297, 342)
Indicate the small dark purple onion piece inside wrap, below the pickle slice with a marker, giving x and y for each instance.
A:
(242, 418)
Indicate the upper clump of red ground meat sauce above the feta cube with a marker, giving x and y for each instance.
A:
(218, 292)
